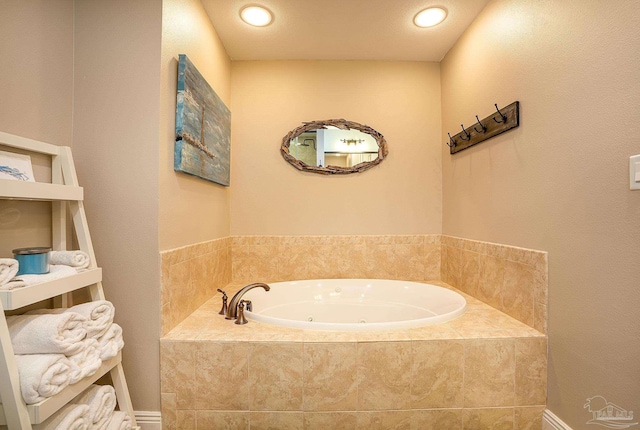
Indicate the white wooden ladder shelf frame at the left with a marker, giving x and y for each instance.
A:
(67, 197)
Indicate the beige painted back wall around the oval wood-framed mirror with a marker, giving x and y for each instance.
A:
(401, 100)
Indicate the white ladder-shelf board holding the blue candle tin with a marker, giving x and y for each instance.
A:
(20, 297)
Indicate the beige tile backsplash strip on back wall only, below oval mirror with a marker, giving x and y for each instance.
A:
(287, 258)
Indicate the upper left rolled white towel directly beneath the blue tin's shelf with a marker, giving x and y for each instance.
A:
(49, 333)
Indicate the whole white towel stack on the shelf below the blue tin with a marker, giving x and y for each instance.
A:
(58, 347)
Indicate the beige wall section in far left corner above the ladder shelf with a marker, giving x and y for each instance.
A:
(37, 69)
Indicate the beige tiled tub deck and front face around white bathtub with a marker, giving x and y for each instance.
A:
(484, 370)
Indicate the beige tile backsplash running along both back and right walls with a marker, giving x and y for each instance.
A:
(511, 279)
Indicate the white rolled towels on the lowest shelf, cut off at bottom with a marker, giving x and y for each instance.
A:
(93, 409)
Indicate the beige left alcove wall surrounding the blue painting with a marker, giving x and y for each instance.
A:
(192, 210)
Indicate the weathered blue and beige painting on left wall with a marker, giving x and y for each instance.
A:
(203, 127)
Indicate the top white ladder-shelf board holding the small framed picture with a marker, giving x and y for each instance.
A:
(20, 190)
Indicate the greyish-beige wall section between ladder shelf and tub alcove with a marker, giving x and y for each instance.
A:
(116, 134)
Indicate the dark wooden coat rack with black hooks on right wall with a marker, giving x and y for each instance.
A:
(503, 120)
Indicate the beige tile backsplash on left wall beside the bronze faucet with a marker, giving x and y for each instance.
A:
(190, 276)
